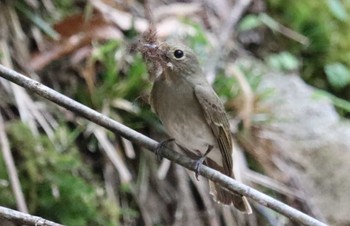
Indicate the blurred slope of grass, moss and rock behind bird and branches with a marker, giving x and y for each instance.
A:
(282, 68)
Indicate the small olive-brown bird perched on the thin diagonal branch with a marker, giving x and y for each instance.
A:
(192, 113)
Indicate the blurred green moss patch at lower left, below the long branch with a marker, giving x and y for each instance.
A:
(57, 184)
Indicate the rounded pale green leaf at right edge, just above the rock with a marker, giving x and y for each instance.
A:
(338, 75)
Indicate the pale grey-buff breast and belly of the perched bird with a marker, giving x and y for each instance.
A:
(183, 120)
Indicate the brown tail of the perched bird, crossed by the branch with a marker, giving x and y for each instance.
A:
(225, 197)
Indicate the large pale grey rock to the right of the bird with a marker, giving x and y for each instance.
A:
(307, 142)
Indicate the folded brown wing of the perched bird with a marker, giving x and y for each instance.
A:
(216, 118)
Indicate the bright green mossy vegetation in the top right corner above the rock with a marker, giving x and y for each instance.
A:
(326, 60)
